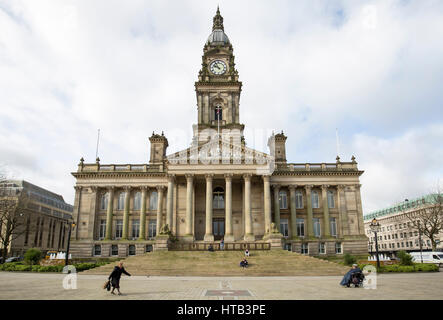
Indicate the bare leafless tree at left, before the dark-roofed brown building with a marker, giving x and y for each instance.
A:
(12, 215)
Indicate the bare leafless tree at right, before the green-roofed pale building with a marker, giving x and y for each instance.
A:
(428, 220)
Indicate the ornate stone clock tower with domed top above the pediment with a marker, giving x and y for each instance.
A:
(218, 89)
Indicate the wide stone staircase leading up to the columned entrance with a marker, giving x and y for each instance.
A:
(225, 263)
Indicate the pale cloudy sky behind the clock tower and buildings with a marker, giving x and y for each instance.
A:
(372, 69)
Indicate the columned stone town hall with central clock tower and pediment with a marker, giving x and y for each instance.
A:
(218, 188)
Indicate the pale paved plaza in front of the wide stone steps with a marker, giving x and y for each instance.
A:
(50, 286)
